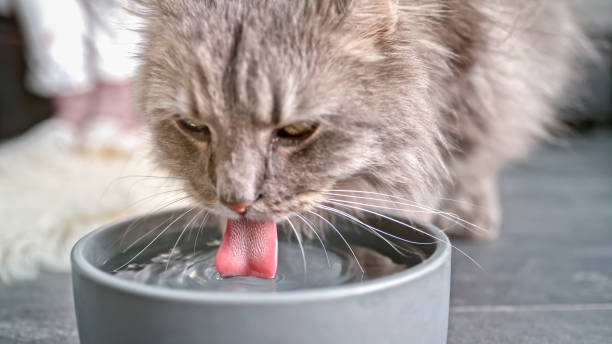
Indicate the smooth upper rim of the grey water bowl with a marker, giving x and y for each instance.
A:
(84, 268)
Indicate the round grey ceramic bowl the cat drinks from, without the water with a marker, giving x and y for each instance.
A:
(410, 306)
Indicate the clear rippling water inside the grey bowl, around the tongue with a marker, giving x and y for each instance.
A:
(192, 268)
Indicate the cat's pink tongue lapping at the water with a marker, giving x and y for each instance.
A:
(249, 248)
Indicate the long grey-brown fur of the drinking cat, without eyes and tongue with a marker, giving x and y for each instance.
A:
(425, 99)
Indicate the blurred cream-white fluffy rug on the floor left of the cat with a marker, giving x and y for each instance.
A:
(55, 188)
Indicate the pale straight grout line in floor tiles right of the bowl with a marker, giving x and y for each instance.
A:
(532, 308)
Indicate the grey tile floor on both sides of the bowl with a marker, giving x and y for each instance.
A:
(547, 279)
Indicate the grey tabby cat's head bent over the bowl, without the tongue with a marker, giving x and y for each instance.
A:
(271, 102)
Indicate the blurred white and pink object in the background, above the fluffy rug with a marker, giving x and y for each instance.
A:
(82, 55)
